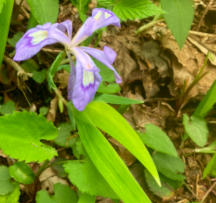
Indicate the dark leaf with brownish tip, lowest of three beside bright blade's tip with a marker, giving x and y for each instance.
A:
(166, 191)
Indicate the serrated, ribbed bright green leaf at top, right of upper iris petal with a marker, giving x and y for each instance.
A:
(136, 9)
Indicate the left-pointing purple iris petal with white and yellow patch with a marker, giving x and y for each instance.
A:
(36, 38)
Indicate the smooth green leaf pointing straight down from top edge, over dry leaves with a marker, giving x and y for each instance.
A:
(179, 18)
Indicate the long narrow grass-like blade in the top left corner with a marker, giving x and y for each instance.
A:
(5, 17)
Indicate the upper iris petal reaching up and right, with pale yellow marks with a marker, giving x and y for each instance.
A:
(100, 18)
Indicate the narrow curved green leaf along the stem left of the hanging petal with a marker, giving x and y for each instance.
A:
(53, 68)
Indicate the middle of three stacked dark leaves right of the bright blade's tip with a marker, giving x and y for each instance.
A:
(169, 166)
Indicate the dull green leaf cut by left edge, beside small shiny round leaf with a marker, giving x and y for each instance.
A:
(5, 181)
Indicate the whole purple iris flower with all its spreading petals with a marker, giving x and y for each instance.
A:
(84, 79)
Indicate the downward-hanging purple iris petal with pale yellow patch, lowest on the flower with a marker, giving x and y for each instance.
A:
(85, 86)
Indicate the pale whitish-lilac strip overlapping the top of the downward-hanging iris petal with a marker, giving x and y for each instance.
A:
(85, 60)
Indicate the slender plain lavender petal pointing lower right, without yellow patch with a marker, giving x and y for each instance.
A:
(106, 57)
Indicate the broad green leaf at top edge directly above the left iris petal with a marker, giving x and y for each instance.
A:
(44, 11)
